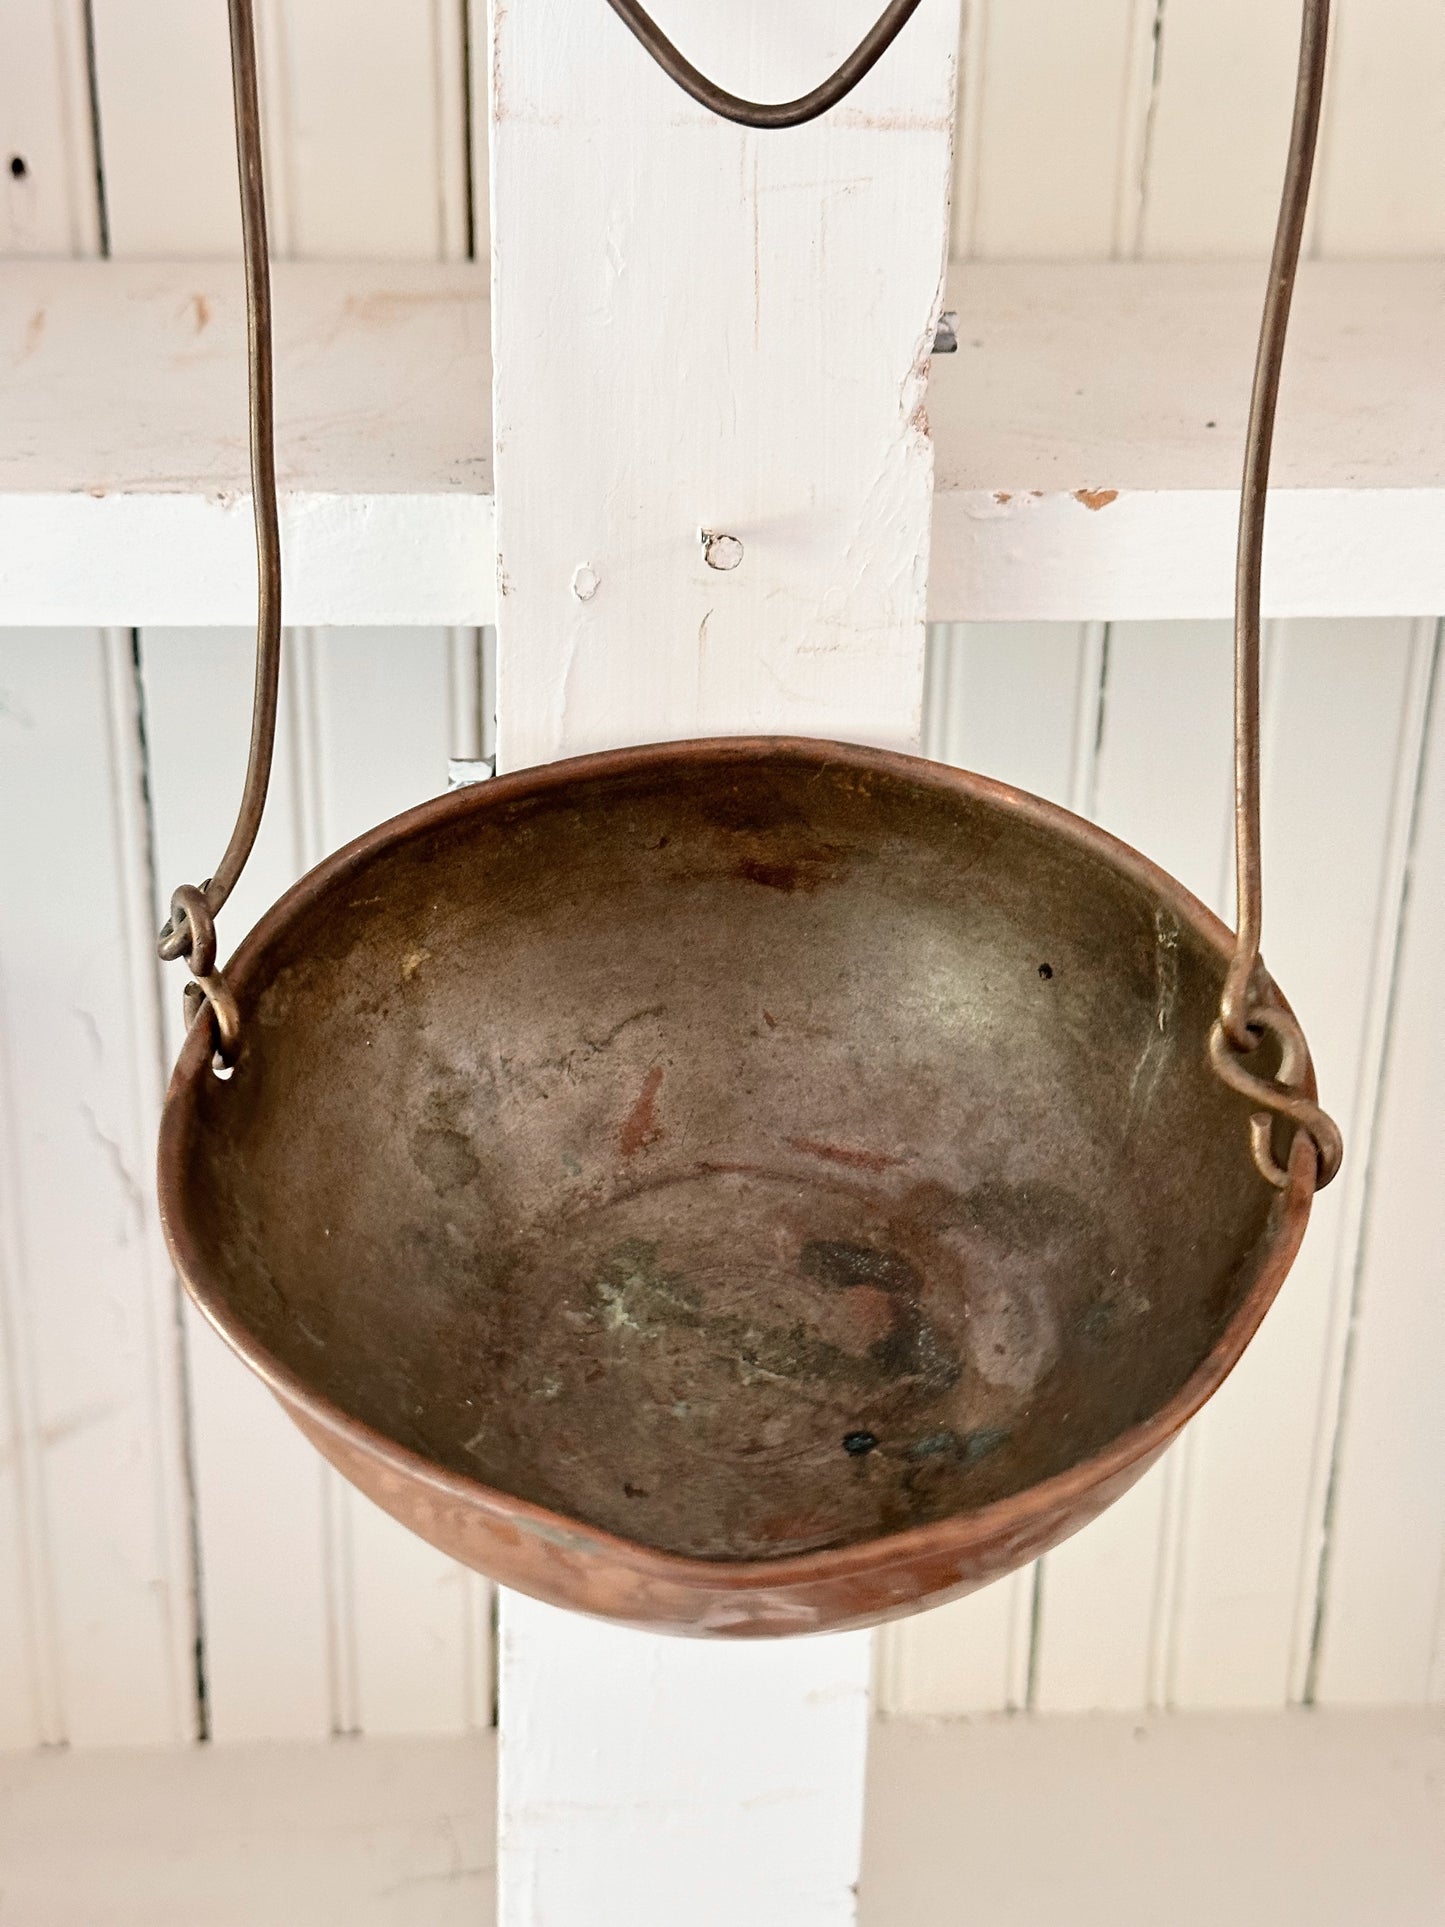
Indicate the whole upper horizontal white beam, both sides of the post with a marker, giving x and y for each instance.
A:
(1088, 444)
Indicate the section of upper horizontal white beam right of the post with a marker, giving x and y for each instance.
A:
(1091, 435)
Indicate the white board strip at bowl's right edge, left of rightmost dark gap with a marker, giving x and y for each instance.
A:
(1344, 716)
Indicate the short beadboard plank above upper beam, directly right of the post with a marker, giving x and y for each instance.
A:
(1047, 128)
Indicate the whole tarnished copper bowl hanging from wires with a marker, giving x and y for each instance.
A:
(731, 1188)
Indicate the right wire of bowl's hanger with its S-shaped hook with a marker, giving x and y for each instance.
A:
(1246, 1018)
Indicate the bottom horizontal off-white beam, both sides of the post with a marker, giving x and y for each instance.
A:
(1263, 1820)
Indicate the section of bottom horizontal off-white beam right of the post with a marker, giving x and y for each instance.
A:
(1261, 1820)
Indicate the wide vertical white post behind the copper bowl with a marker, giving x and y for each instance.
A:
(704, 330)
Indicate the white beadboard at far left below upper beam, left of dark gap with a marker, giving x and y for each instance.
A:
(90, 1302)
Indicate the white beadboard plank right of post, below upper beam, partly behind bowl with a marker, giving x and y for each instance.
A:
(1005, 700)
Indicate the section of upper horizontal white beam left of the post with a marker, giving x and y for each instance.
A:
(124, 481)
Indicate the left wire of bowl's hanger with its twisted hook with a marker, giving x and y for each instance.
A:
(190, 932)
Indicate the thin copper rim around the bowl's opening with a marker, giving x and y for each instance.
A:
(953, 1539)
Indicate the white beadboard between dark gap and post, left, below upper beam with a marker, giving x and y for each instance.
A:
(321, 1614)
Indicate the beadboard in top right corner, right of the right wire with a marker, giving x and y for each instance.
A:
(1382, 159)
